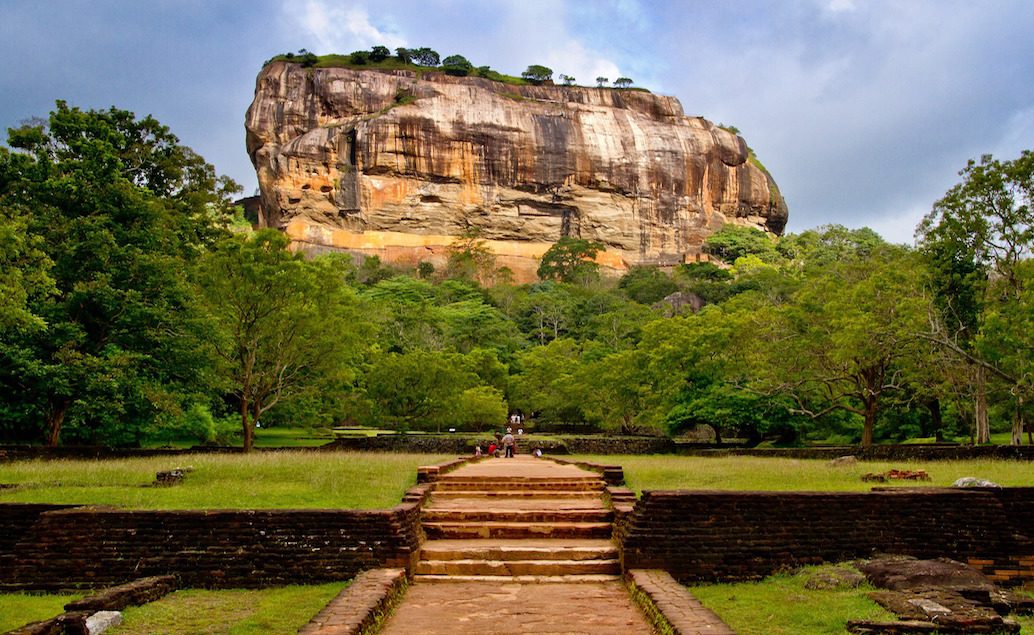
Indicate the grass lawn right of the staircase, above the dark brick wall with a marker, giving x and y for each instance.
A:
(752, 473)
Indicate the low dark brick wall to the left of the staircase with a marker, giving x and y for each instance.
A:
(233, 549)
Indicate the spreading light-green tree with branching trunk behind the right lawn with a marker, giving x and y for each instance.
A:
(839, 343)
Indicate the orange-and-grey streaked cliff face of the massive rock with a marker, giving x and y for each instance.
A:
(400, 166)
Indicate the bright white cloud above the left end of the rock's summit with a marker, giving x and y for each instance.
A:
(341, 29)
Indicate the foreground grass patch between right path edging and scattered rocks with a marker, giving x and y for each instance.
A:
(781, 606)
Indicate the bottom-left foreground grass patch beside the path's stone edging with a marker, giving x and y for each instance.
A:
(237, 612)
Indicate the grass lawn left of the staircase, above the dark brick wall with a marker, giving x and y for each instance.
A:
(266, 480)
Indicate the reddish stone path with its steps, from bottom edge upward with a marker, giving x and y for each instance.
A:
(520, 546)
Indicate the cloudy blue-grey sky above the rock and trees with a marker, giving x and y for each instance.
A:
(864, 111)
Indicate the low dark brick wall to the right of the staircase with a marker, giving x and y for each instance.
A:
(735, 536)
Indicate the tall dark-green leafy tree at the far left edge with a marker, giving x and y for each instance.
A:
(108, 208)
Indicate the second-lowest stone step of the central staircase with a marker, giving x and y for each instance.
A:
(509, 551)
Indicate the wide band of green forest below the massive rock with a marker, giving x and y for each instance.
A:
(136, 299)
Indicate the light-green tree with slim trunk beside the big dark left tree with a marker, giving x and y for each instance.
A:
(282, 324)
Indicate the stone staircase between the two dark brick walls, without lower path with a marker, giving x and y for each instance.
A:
(525, 520)
